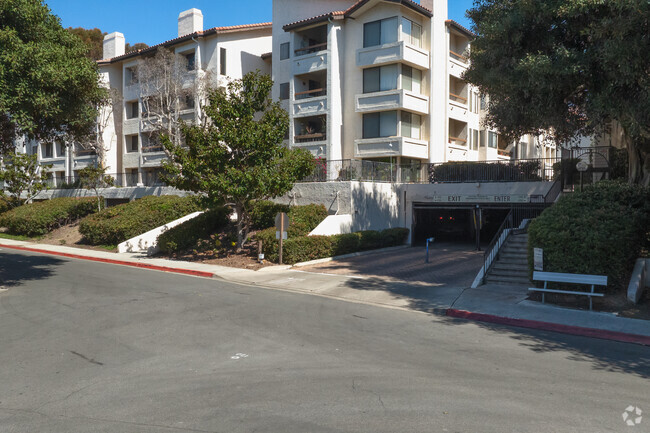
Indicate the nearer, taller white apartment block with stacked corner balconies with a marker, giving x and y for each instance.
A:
(379, 80)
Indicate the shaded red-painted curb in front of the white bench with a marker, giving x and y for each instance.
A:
(554, 327)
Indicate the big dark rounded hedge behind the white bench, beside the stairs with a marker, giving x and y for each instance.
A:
(599, 231)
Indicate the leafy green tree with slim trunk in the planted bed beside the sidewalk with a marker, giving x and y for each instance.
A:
(238, 157)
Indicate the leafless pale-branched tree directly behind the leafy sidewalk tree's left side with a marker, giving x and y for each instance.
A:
(169, 84)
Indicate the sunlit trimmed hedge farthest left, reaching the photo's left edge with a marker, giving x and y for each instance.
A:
(37, 219)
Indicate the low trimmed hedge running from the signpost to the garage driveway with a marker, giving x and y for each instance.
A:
(305, 248)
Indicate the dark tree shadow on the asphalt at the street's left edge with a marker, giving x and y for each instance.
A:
(17, 268)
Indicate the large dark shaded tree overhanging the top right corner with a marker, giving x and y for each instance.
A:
(567, 68)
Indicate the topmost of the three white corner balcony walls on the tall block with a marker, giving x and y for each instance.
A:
(393, 53)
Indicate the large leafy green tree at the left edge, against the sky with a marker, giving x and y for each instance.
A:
(48, 87)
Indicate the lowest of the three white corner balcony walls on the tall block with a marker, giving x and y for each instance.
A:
(391, 146)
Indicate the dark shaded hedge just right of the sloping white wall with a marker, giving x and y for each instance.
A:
(187, 234)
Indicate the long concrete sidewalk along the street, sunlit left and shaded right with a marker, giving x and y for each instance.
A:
(505, 302)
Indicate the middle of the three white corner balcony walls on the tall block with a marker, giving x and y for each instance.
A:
(398, 99)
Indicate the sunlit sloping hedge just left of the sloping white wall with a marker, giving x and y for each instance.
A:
(116, 224)
